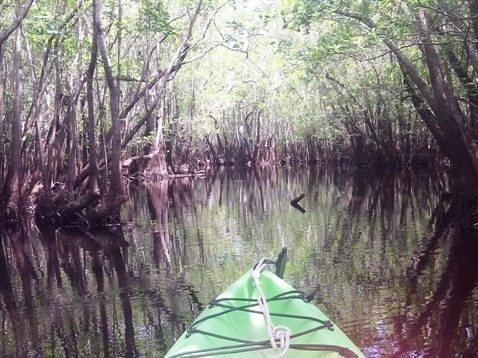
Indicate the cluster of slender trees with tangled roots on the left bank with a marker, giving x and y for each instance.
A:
(96, 78)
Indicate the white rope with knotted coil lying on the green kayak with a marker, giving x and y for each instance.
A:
(280, 333)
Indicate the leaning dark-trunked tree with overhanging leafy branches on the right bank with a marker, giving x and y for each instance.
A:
(440, 86)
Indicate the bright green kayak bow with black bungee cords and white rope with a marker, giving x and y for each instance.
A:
(260, 315)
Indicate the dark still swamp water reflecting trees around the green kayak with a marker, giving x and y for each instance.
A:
(397, 282)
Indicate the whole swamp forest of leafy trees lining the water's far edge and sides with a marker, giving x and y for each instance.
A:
(96, 94)
